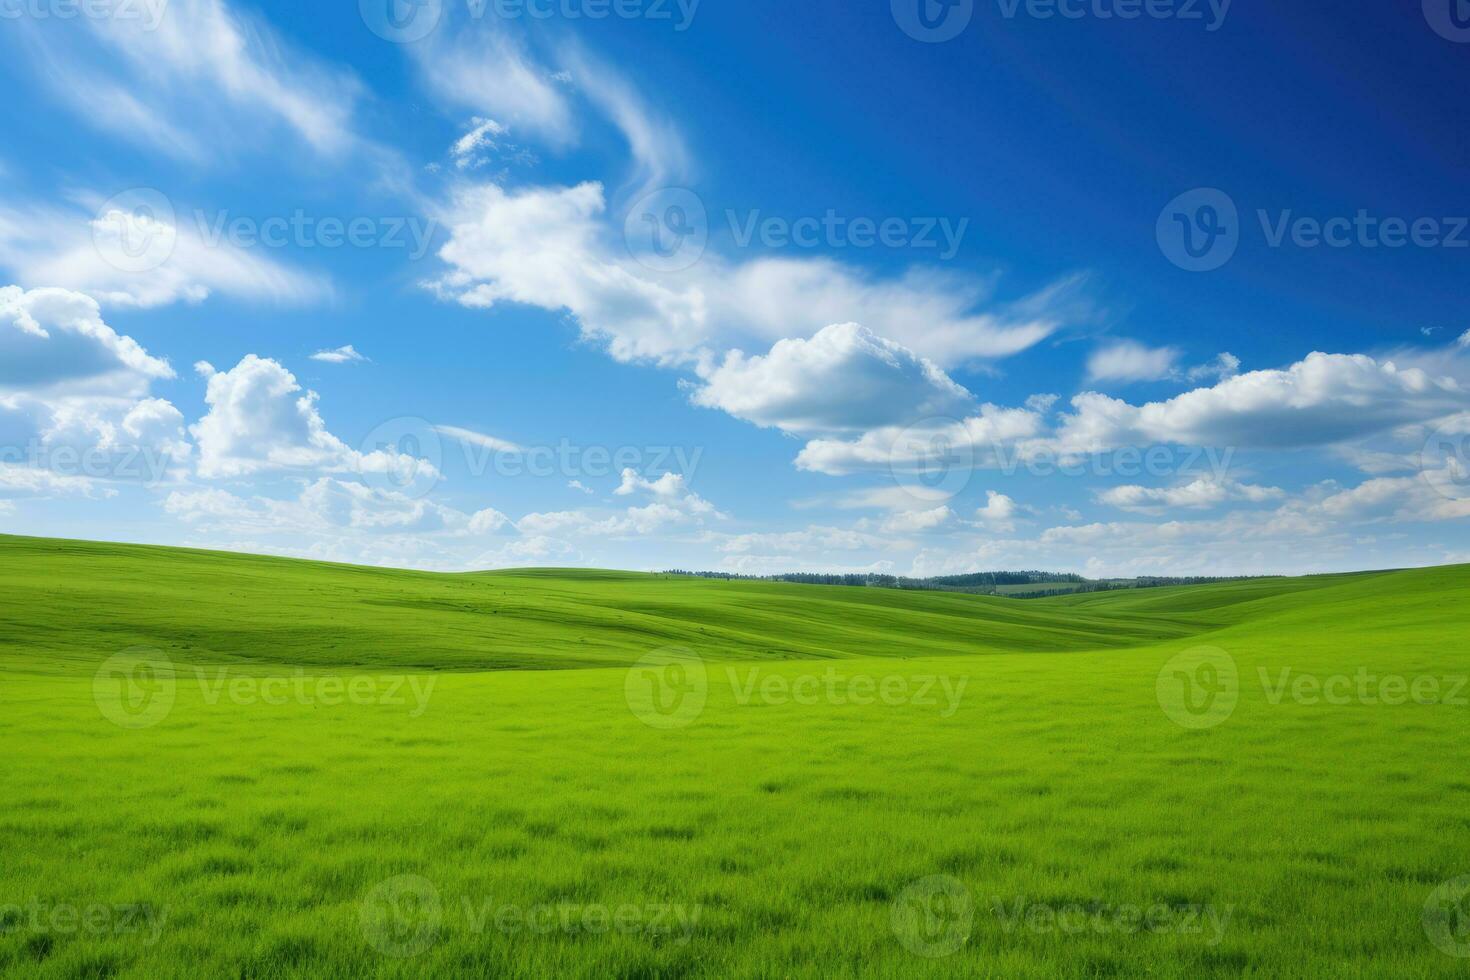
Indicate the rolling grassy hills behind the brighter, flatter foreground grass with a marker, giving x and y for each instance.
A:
(70, 602)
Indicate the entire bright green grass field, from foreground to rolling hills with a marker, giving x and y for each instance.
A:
(236, 766)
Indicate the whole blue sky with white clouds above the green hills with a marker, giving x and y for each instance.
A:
(1112, 287)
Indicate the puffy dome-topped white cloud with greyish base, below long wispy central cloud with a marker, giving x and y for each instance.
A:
(845, 378)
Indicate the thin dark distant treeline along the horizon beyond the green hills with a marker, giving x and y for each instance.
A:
(1008, 584)
